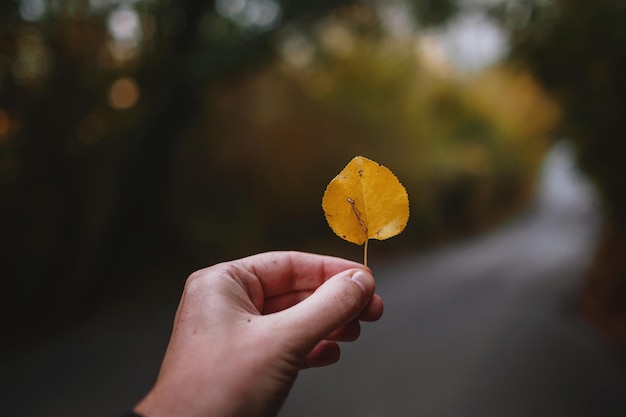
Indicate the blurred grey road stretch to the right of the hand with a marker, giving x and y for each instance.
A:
(485, 328)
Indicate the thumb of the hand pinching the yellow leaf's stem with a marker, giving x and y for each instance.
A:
(336, 302)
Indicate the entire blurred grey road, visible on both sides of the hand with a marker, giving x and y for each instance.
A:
(486, 327)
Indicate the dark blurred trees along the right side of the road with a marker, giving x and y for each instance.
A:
(577, 48)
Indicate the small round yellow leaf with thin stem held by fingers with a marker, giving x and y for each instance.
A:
(365, 201)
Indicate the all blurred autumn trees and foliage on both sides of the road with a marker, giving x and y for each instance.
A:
(143, 139)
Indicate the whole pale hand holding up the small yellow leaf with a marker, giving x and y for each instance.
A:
(244, 329)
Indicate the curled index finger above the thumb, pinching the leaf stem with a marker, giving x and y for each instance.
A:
(283, 272)
